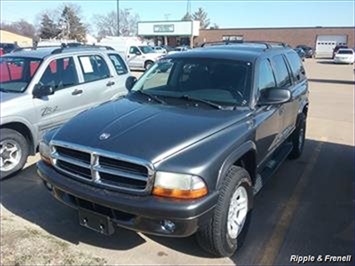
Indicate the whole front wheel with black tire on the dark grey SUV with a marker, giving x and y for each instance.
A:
(227, 228)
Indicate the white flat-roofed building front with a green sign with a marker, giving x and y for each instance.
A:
(173, 33)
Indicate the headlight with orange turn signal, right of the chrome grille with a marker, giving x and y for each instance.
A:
(181, 186)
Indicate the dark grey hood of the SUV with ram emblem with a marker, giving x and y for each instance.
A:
(147, 131)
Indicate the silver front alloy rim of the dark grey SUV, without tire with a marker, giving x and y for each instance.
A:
(237, 212)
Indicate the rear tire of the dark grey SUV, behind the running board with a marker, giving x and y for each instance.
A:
(298, 137)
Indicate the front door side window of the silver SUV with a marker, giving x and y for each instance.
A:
(60, 73)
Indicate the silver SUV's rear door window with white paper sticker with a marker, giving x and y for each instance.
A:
(94, 68)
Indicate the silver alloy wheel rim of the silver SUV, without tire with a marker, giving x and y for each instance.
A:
(10, 155)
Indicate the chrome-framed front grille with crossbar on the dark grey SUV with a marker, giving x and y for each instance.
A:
(112, 171)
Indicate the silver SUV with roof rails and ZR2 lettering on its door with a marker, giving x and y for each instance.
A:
(41, 89)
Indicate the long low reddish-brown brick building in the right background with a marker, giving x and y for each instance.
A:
(293, 36)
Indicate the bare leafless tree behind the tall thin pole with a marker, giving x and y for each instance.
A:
(106, 25)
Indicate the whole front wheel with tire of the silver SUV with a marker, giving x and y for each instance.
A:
(14, 151)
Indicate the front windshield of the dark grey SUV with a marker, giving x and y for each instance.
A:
(224, 82)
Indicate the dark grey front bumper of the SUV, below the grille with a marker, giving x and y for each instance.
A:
(145, 214)
